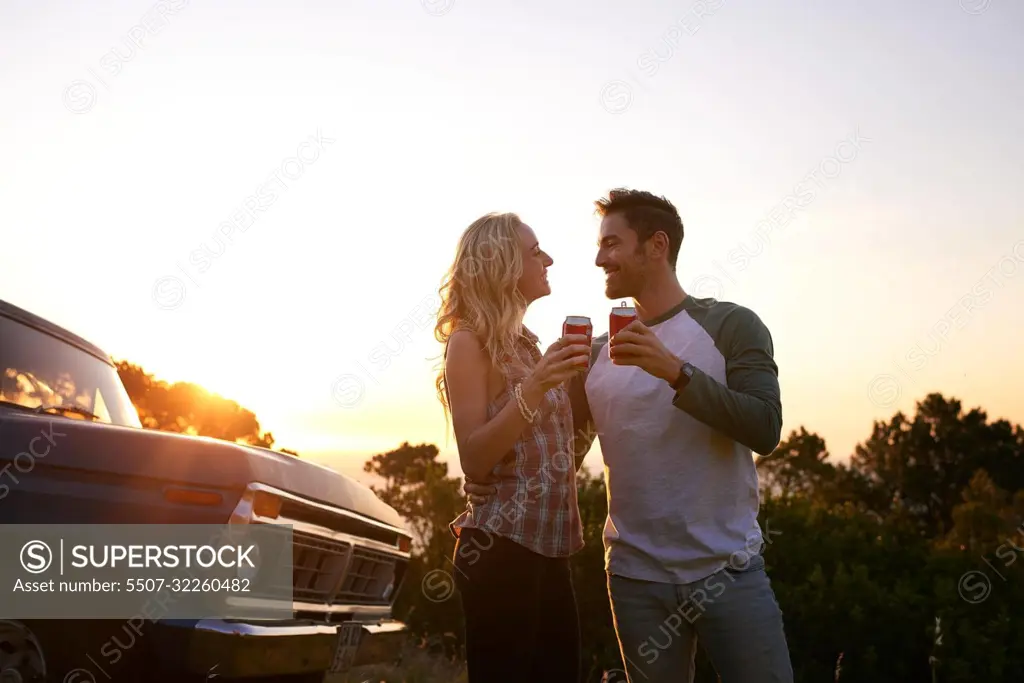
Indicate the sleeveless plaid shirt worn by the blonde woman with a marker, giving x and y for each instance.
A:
(536, 504)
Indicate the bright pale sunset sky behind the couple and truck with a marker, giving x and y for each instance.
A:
(263, 198)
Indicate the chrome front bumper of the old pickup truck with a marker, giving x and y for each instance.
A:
(239, 650)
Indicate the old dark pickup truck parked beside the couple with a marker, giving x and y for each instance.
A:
(73, 451)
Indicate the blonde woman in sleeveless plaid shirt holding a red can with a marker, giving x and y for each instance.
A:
(510, 413)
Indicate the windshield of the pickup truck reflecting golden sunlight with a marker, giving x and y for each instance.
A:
(38, 371)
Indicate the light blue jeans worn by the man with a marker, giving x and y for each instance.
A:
(733, 613)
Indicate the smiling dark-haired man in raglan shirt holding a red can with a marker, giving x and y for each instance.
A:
(680, 399)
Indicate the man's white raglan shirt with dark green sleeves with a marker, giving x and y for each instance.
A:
(679, 467)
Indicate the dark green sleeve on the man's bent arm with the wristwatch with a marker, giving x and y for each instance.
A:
(748, 408)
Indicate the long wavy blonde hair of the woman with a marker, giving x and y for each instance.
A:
(480, 293)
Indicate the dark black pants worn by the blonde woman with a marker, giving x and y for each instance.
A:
(521, 612)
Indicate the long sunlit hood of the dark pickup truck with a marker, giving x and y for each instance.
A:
(149, 459)
